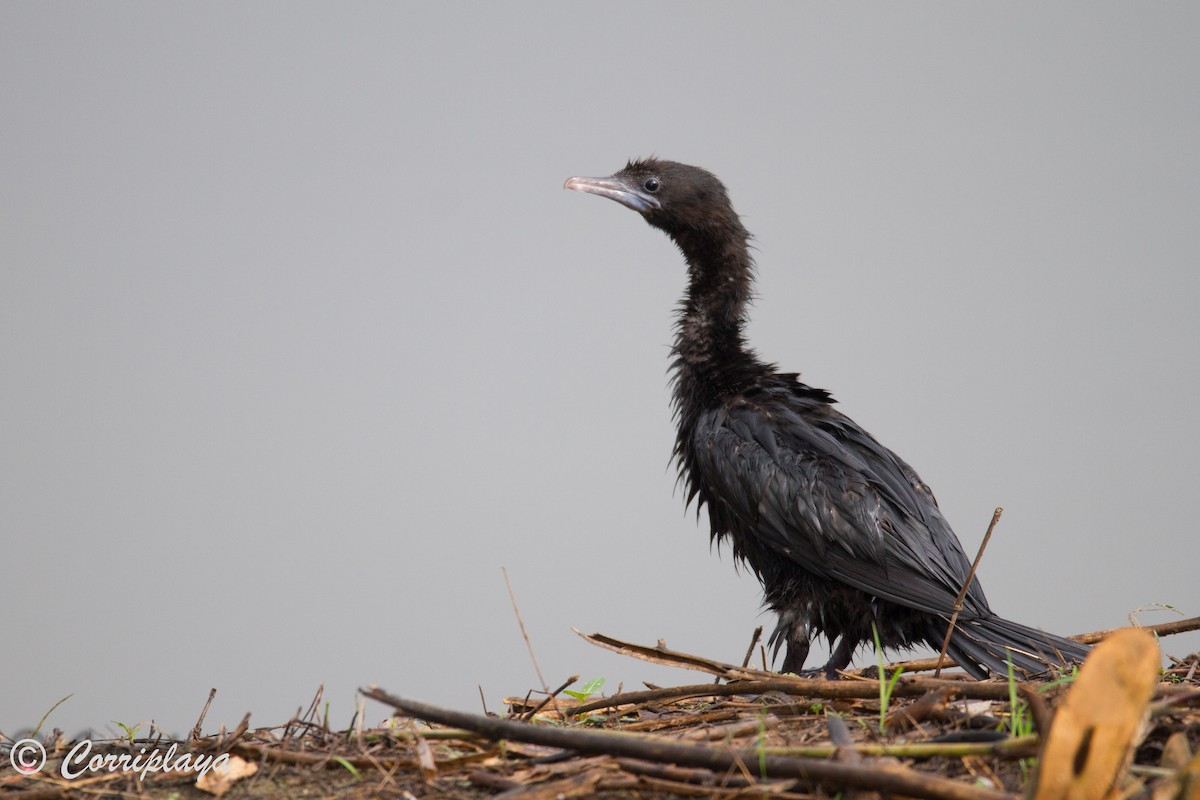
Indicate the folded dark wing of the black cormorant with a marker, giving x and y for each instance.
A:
(817, 489)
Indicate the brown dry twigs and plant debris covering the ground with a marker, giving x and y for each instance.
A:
(1121, 727)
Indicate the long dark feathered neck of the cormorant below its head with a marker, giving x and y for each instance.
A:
(710, 344)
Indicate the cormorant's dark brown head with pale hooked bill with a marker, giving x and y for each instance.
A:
(674, 197)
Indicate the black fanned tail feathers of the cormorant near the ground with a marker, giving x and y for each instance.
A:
(986, 645)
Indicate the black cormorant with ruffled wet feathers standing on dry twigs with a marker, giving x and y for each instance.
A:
(841, 532)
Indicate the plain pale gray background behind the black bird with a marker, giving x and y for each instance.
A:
(303, 340)
